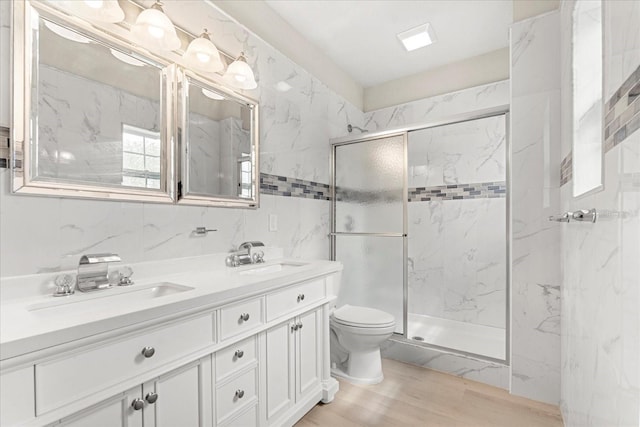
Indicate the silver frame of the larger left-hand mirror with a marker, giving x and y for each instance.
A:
(23, 74)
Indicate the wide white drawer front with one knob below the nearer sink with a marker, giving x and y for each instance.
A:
(76, 375)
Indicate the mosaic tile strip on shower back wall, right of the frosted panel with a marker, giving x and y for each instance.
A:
(479, 190)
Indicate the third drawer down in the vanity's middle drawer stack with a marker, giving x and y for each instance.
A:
(235, 395)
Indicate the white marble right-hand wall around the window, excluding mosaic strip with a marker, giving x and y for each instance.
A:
(601, 274)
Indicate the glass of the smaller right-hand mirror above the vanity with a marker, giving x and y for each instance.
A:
(218, 140)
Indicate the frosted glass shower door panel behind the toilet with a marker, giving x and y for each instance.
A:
(369, 223)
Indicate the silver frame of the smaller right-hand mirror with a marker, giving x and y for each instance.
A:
(182, 93)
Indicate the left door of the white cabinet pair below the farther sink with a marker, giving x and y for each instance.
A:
(280, 372)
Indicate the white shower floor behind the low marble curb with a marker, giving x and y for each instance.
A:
(482, 340)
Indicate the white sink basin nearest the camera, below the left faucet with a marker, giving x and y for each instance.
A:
(80, 302)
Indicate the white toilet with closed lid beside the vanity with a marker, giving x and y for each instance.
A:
(356, 335)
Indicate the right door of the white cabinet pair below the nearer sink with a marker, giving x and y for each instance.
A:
(182, 397)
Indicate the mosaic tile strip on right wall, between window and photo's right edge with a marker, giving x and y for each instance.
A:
(622, 112)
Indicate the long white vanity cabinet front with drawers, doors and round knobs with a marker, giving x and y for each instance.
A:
(256, 360)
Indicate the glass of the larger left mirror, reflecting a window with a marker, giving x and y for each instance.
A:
(96, 111)
